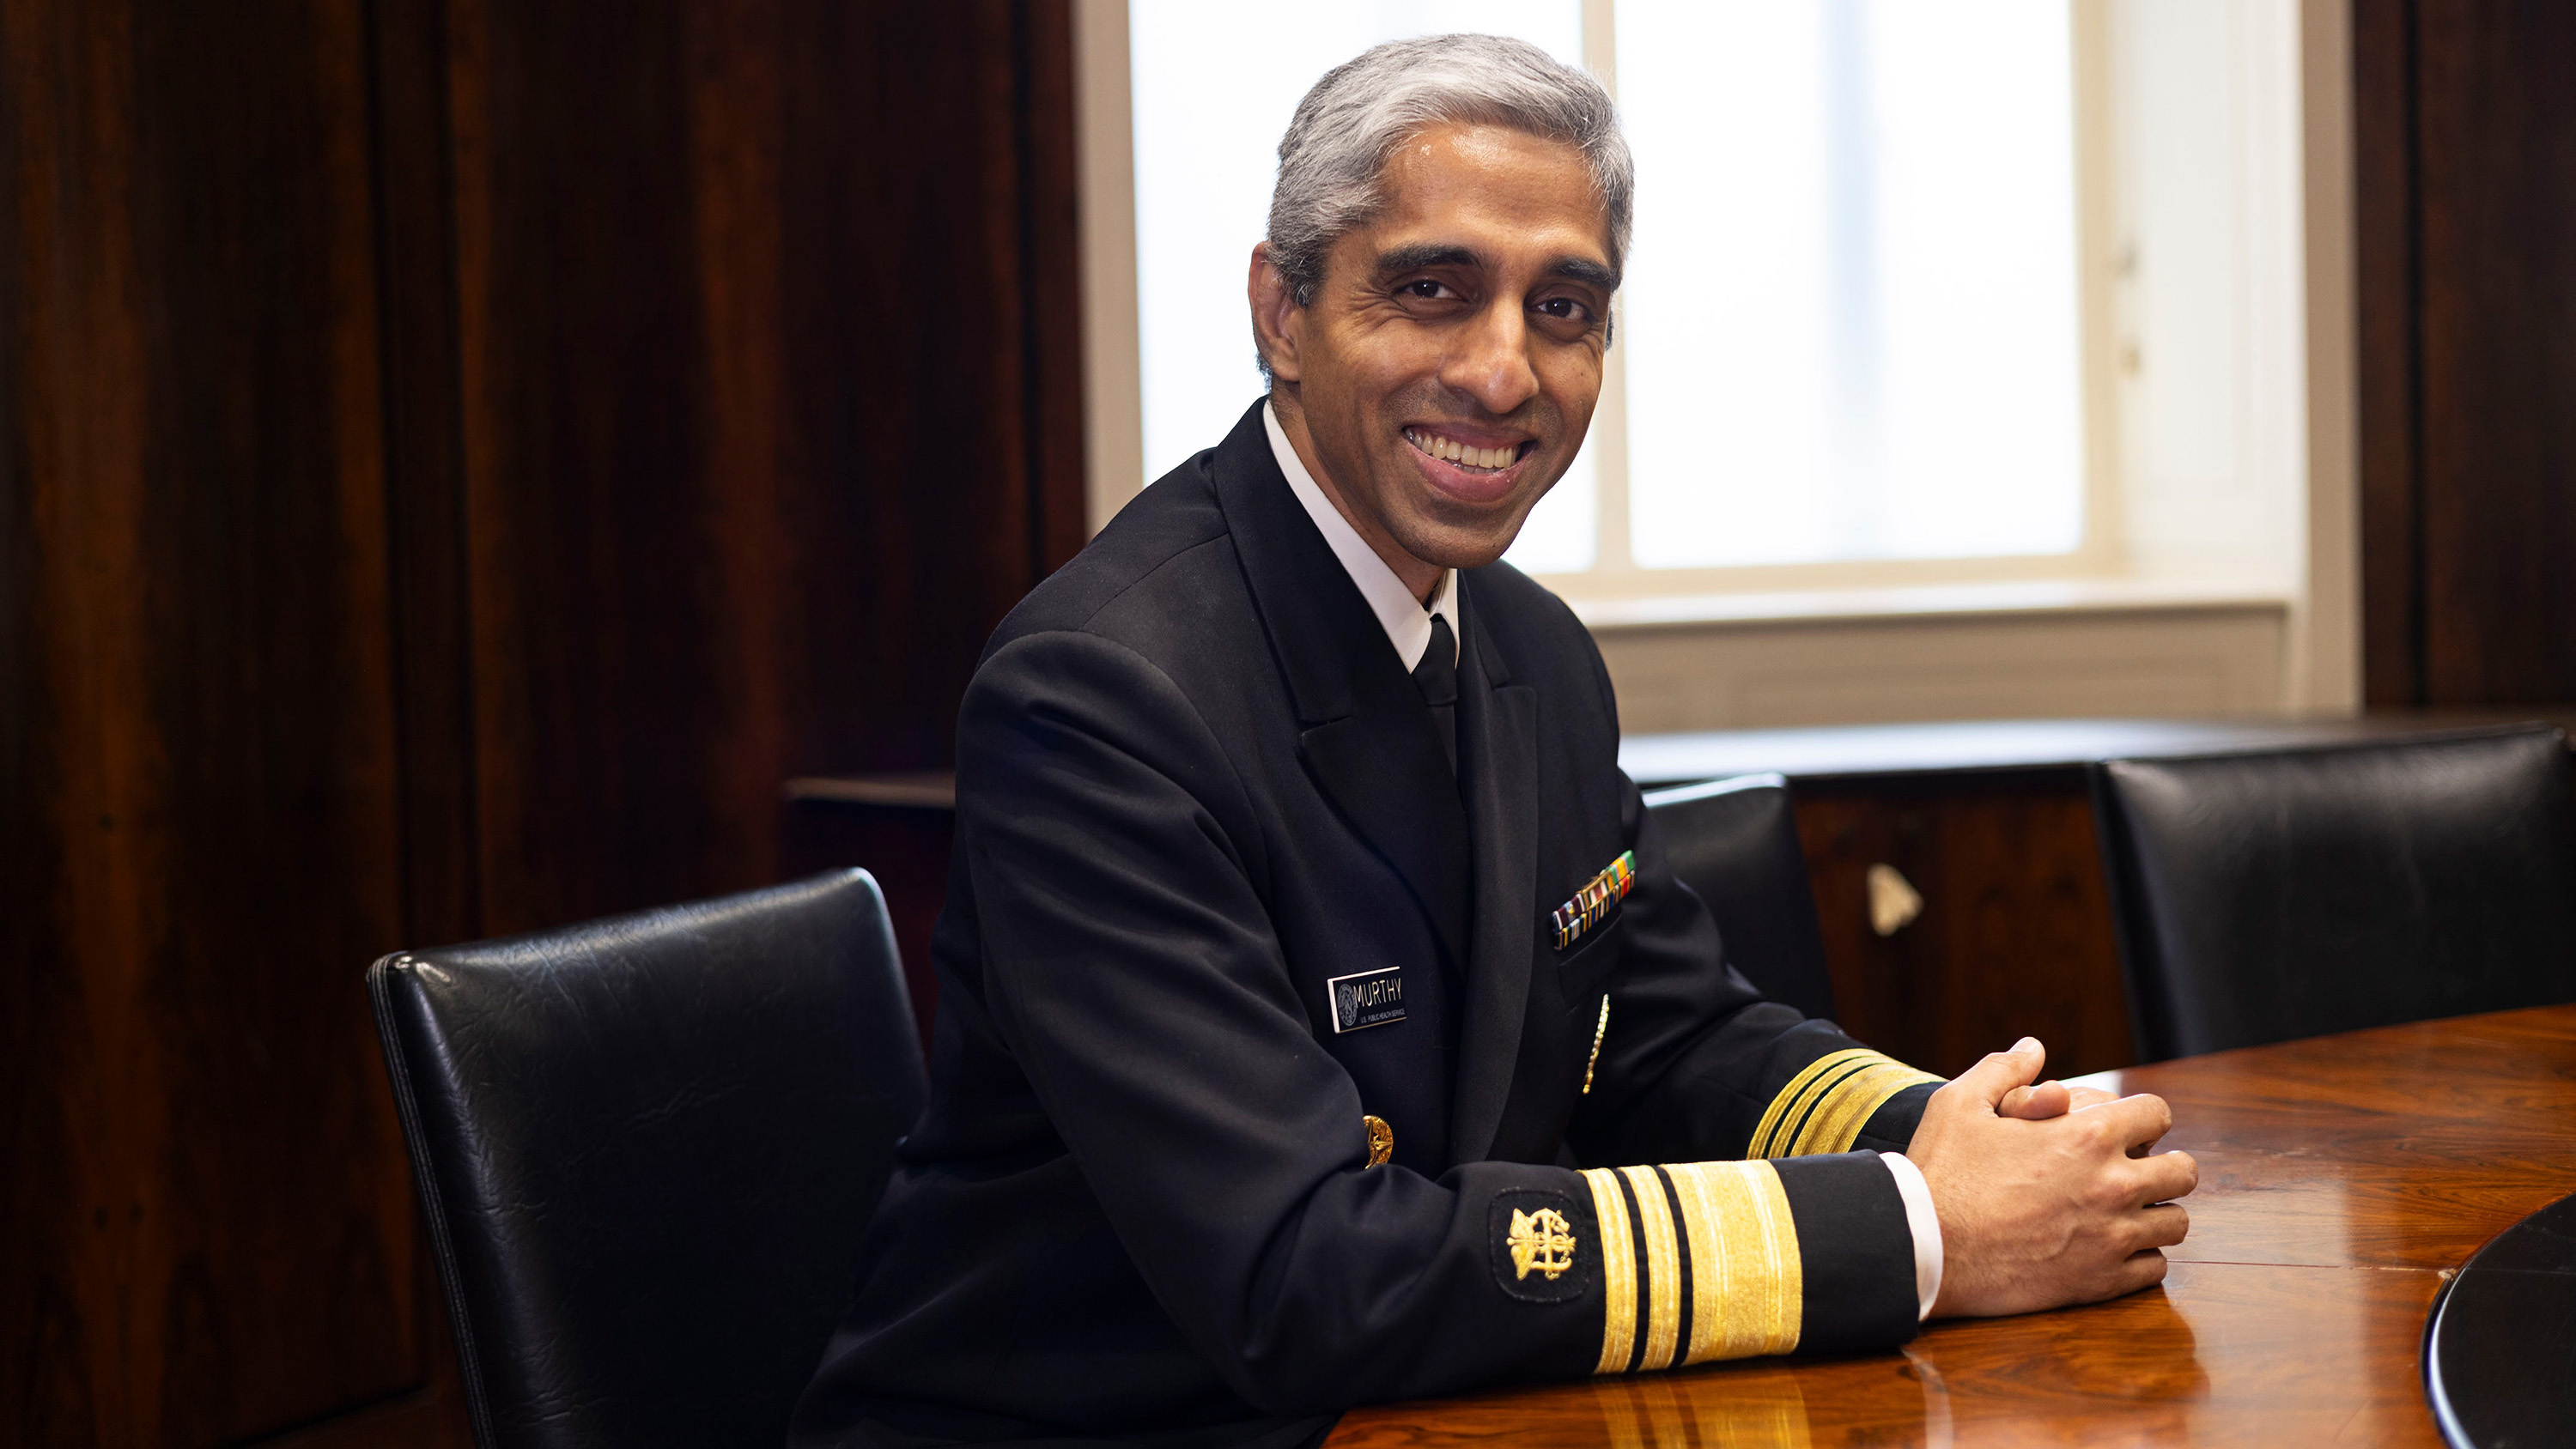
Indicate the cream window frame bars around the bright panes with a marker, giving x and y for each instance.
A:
(2098, 575)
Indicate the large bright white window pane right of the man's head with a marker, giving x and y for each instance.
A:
(1853, 302)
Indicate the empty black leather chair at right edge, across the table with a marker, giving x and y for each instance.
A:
(2307, 892)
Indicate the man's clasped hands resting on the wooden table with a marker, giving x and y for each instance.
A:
(2047, 1195)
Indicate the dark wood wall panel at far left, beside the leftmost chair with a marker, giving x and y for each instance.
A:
(210, 1229)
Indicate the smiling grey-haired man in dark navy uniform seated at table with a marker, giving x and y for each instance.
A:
(1320, 1020)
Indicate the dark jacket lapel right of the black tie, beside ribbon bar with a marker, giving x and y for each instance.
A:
(1498, 763)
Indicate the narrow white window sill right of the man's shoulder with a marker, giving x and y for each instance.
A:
(2021, 598)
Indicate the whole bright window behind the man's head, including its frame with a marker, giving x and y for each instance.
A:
(1923, 292)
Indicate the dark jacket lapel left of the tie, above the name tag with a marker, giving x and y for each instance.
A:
(1369, 737)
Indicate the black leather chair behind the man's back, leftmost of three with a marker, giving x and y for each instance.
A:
(648, 1149)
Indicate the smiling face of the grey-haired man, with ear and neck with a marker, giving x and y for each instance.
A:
(1446, 369)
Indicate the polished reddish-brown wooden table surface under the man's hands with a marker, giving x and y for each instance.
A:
(2343, 1180)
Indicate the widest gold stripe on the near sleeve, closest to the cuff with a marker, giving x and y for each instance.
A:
(1745, 1275)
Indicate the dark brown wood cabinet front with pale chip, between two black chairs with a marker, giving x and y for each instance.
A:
(2016, 936)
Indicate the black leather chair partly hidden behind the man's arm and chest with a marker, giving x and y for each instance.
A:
(1735, 843)
